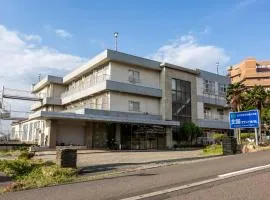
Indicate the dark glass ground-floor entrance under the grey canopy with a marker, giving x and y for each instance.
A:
(142, 137)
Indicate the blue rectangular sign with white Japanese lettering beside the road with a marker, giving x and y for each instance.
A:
(245, 119)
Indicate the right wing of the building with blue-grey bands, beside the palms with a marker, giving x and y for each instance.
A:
(213, 110)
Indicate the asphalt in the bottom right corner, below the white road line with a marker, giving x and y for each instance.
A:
(254, 186)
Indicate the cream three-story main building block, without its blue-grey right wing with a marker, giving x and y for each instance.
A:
(115, 99)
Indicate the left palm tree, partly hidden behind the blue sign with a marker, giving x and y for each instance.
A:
(235, 98)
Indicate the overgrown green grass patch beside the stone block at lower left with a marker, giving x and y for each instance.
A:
(35, 173)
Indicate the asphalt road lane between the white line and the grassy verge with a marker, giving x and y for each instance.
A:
(147, 180)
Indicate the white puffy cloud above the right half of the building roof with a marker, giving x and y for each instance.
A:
(187, 52)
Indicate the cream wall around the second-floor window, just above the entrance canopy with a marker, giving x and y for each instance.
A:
(119, 102)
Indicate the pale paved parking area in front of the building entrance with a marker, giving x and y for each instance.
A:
(99, 158)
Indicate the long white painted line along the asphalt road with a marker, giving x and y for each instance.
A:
(218, 178)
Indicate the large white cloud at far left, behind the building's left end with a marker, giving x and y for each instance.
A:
(22, 59)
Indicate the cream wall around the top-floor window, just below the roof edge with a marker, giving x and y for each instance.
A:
(120, 72)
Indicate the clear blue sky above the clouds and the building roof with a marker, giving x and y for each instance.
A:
(239, 27)
